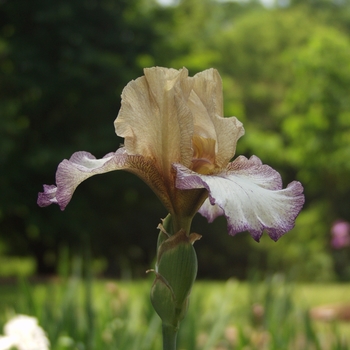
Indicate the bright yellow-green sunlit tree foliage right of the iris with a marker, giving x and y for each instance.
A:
(292, 75)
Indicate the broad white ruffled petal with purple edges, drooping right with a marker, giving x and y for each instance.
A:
(249, 194)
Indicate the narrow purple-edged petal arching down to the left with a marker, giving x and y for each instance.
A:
(70, 173)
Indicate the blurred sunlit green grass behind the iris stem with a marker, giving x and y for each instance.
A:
(273, 314)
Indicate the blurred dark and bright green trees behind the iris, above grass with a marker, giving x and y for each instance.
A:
(285, 67)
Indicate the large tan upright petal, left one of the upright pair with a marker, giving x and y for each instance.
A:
(154, 118)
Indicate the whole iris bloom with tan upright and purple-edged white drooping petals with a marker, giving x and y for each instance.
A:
(178, 142)
